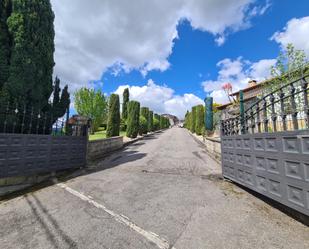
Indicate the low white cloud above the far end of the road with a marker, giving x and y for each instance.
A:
(161, 98)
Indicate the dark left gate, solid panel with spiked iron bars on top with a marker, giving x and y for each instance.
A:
(34, 140)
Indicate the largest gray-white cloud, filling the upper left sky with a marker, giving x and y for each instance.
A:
(91, 36)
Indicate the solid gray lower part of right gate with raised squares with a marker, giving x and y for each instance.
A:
(273, 164)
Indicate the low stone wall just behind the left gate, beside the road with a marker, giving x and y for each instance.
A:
(99, 148)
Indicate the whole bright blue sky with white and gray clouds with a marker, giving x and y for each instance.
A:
(172, 54)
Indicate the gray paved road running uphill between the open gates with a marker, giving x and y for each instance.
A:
(162, 192)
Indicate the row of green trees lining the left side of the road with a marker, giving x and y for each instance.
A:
(133, 119)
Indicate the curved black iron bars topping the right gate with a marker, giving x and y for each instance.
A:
(285, 109)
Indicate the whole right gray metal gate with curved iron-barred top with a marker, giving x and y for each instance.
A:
(266, 148)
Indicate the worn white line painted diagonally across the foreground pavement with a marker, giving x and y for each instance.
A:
(156, 239)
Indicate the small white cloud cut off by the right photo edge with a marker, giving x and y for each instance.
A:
(296, 32)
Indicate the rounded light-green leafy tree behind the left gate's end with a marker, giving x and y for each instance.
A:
(92, 104)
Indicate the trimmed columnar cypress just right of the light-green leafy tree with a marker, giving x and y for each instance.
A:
(113, 122)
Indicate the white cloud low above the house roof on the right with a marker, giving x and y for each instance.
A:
(237, 72)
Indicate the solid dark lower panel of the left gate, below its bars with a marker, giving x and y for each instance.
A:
(27, 154)
